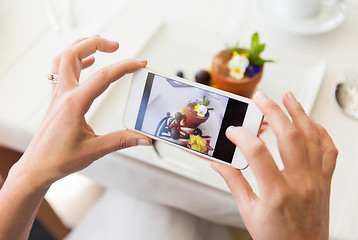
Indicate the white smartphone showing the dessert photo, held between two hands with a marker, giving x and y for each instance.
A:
(189, 115)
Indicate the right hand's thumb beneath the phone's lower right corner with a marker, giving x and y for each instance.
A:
(238, 185)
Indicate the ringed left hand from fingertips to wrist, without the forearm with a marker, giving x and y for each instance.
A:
(65, 143)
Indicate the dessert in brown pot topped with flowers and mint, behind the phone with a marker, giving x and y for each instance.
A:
(239, 70)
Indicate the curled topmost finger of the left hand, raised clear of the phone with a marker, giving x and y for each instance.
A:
(71, 60)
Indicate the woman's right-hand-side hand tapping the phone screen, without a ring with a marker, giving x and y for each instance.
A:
(294, 202)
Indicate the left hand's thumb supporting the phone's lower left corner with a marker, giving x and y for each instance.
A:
(111, 142)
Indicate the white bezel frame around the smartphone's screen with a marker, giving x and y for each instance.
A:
(252, 120)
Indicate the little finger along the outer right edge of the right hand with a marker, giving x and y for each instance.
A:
(330, 152)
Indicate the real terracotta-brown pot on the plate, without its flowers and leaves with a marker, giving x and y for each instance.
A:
(220, 74)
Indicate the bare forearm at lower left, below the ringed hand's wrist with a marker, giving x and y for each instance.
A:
(20, 199)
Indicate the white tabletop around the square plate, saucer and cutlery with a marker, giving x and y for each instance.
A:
(178, 179)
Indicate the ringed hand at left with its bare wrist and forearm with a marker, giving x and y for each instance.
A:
(64, 143)
